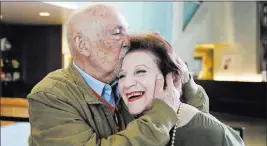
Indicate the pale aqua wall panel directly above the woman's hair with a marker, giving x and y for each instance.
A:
(148, 16)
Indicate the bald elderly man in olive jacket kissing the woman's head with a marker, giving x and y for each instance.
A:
(79, 106)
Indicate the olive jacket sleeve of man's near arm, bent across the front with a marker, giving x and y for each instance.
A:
(54, 122)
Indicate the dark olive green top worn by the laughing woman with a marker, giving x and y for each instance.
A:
(205, 130)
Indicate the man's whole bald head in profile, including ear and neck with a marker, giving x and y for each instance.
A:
(97, 36)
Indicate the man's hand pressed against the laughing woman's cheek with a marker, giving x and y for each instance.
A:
(170, 95)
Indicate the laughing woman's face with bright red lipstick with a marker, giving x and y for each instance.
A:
(137, 80)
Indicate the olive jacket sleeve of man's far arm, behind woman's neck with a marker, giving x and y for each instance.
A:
(196, 96)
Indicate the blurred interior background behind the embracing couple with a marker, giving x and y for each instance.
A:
(223, 44)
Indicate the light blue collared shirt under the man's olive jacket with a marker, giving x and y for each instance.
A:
(102, 89)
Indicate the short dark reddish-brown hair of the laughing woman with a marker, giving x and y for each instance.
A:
(160, 48)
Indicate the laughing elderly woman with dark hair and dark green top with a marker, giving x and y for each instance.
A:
(148, 56)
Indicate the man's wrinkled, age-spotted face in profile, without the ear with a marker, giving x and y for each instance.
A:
(109, 41)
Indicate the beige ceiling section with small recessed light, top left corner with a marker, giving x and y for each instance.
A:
(28, 13)
